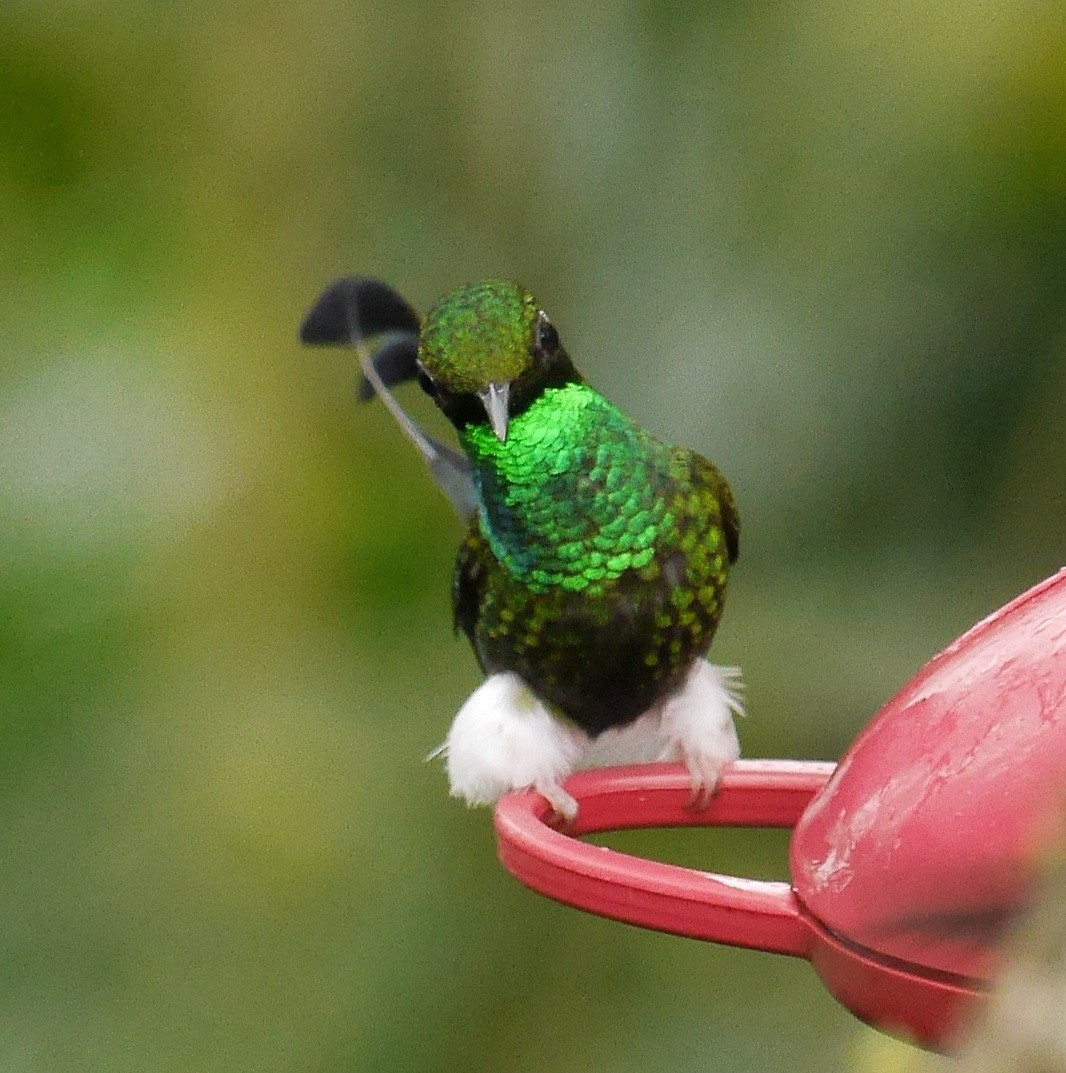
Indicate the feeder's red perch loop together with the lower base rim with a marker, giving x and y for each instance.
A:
(743, 913)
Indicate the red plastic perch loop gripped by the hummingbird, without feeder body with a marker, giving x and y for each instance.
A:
(744, 913)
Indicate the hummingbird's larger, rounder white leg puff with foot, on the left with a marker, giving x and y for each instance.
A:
(505, 739)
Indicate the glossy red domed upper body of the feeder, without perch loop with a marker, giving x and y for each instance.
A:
(926, 840)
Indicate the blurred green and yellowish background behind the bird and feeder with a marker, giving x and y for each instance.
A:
(822, 244)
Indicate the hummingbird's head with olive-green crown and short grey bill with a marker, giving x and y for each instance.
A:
(487, 352)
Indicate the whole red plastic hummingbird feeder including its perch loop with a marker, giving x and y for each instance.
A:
(908, 859)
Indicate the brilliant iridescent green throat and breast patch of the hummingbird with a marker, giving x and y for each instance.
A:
(576, 496)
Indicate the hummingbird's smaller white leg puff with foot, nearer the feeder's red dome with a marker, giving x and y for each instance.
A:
(698, 723)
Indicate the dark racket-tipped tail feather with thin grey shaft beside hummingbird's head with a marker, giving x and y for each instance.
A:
(381, 325)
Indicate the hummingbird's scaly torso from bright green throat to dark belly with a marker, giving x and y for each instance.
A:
(597, 568)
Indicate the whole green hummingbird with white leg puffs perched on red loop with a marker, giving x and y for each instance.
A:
(593, 574)
